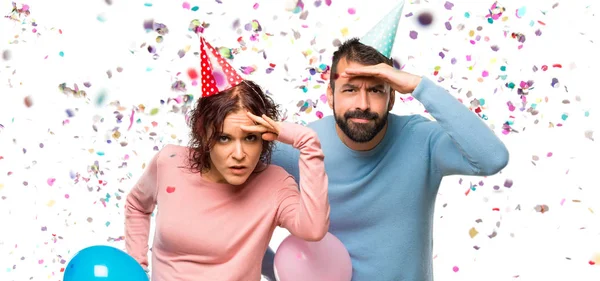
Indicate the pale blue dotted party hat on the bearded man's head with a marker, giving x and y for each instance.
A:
(383, 34)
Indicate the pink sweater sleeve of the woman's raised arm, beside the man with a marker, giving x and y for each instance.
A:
(304, 212)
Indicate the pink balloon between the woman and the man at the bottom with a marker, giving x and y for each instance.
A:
(299, 260)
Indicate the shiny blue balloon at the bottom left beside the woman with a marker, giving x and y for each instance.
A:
(103, 263)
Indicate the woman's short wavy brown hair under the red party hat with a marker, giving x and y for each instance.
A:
(206, 120)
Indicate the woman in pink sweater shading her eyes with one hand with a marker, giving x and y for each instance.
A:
(218, 200)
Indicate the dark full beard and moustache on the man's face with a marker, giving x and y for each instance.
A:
(361, 132)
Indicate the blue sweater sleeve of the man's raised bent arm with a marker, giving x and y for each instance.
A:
(463, 144)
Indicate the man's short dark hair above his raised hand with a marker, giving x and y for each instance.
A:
(353, 50)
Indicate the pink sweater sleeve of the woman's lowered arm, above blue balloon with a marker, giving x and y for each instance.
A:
(140, 204)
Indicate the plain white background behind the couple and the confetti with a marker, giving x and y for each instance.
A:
(530, 245)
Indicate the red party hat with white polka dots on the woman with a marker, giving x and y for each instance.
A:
(216, 74)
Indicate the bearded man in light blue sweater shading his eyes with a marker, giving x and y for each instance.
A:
(385, 169)
